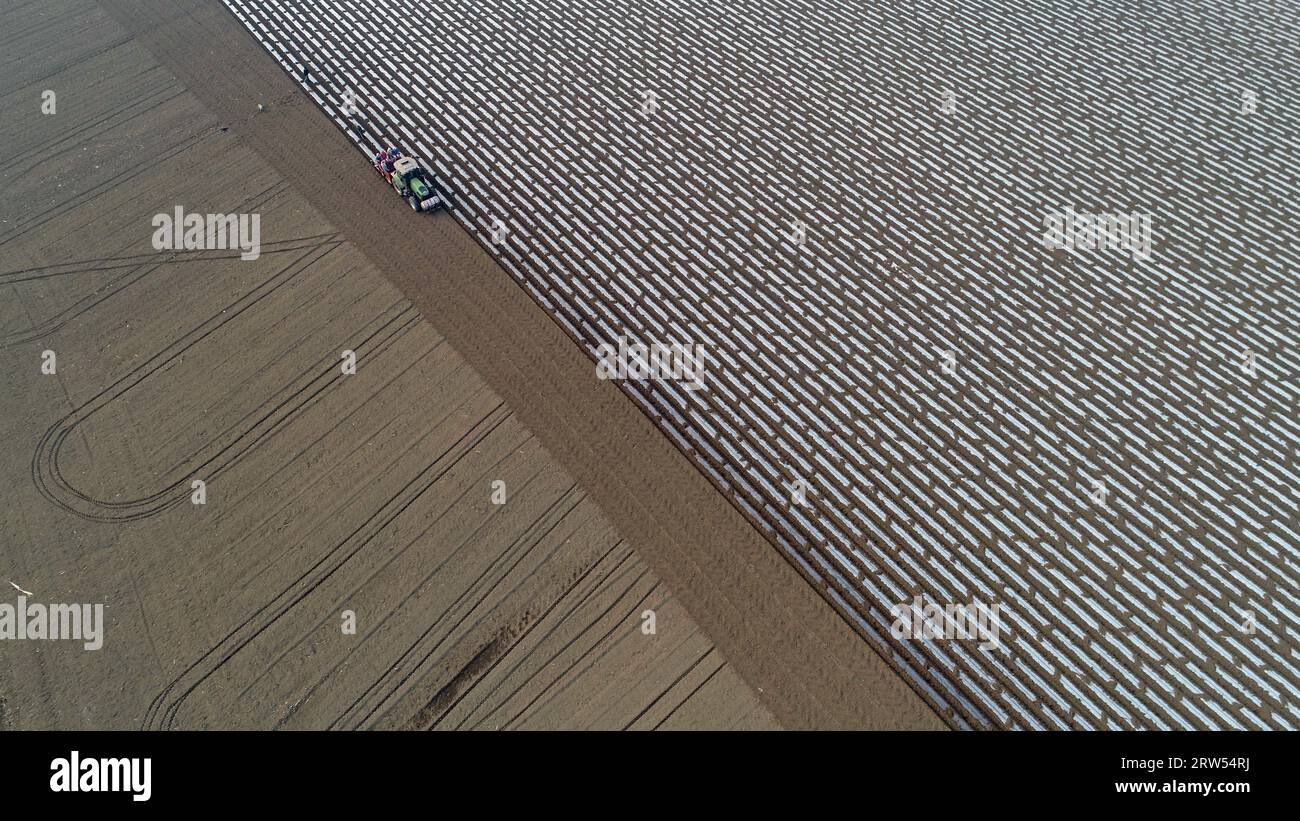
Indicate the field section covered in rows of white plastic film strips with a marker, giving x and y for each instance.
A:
(998, 301)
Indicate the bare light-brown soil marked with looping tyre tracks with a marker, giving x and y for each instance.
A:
(327, 493)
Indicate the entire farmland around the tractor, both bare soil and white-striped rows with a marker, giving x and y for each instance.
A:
(772, 366)
